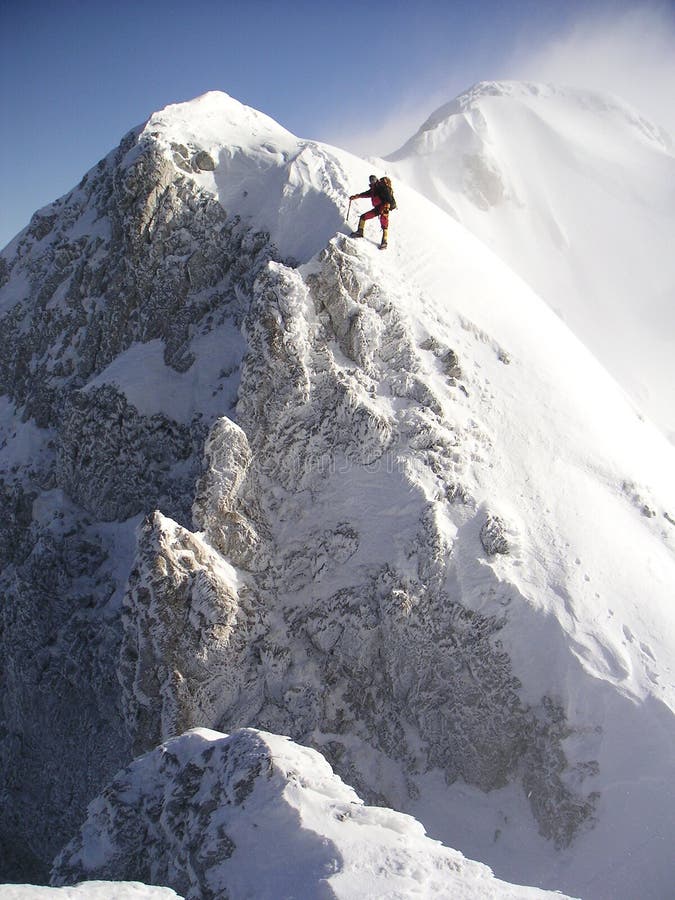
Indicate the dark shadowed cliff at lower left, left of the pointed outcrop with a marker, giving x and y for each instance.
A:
(60, 692)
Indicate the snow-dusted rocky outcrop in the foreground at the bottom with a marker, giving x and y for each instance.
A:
(253, 815)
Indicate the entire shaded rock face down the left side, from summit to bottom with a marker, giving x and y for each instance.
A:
(137, 252)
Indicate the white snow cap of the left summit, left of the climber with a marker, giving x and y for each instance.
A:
(255, 169)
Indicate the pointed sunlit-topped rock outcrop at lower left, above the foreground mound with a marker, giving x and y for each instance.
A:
(187, 626)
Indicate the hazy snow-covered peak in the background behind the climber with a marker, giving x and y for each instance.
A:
(575, 191)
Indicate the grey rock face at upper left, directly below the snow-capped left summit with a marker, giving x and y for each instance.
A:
(134, 253)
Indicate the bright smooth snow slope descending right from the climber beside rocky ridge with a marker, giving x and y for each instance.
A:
(587, 492)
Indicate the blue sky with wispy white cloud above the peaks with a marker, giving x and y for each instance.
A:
(75, 76)
